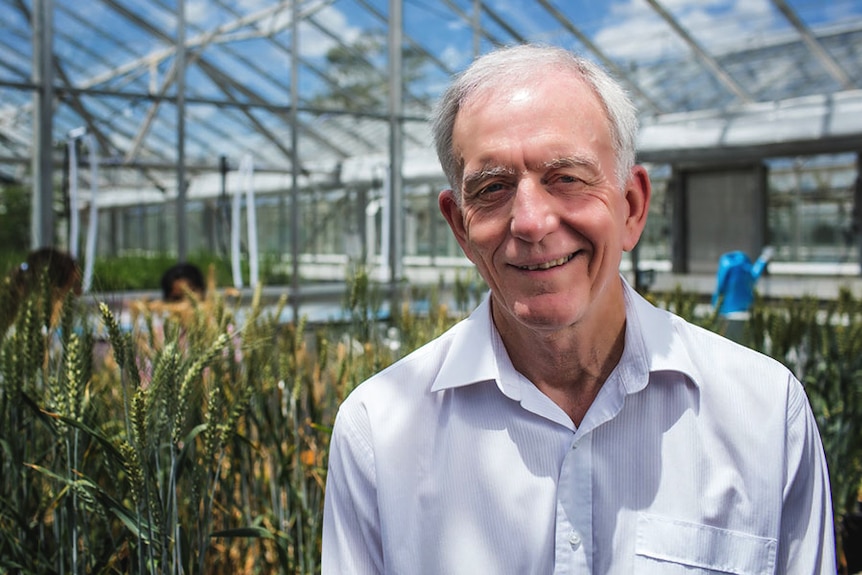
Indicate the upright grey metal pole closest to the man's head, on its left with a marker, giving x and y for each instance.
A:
(396, 144)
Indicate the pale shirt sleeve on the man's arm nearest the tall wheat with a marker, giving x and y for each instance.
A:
(351, 522)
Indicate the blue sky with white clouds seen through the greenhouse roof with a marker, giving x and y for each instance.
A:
(101, 47)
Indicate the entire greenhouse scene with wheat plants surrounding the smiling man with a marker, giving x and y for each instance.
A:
(286, 144)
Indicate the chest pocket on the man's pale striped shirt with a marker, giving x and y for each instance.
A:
(666, 546)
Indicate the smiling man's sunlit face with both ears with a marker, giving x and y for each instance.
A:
(542, 214)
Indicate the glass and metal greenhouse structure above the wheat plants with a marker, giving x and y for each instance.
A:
(146, 99)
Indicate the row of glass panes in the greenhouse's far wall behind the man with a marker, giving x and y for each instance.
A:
(810, 215)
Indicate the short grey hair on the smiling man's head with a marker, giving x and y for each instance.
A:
(518, 66)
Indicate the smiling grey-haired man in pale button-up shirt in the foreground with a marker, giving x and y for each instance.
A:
(568, 425)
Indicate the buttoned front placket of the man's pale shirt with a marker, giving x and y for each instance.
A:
(574, 531)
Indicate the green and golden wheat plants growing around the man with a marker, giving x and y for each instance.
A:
(193, 437)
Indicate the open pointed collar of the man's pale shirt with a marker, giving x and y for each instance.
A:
(653, 343)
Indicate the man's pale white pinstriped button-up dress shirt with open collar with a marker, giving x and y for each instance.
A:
(697, 456)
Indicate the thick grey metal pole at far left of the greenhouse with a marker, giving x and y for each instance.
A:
(42, 214)
